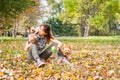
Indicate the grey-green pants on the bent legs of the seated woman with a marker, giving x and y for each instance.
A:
(34, 53)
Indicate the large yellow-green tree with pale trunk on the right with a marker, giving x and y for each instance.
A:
(94, 14)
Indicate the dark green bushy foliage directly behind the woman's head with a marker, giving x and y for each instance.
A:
(60, 29)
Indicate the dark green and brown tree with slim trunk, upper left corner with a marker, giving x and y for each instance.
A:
(11, 10)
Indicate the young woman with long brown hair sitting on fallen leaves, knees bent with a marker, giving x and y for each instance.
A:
(44, 37)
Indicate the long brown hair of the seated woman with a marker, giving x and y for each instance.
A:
(48, 30)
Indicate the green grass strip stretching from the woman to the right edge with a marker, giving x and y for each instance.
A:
(111, 39)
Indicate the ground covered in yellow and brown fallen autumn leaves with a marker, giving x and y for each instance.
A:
(92, 61)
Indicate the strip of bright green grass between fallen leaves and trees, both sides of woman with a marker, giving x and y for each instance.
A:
(94, 39)
